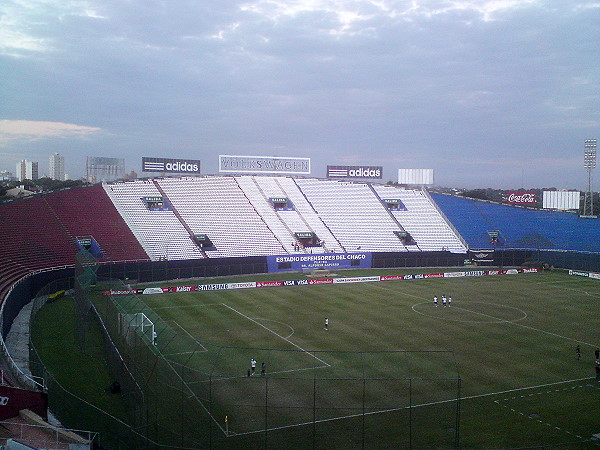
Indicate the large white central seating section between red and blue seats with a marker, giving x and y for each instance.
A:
(237, 214)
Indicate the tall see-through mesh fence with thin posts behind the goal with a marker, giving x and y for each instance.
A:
(196, 394)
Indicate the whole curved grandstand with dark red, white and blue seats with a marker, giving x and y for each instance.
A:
(165, 228)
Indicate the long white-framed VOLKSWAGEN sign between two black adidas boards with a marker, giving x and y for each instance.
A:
(264, 164)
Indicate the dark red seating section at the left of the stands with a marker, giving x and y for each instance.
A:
(39, 232)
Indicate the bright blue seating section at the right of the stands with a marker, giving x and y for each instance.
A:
(519, 227)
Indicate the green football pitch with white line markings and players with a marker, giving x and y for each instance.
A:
(496, 368)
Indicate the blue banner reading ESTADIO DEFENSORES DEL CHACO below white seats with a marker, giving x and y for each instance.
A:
(298, 263)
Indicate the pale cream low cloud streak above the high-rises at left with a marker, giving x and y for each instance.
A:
(29, 130)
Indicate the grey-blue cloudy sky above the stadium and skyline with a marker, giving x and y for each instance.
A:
(489, 93)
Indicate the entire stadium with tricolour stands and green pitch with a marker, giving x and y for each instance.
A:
(327, 286)
